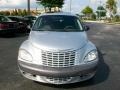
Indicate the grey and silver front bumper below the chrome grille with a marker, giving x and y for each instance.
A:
(75, 72)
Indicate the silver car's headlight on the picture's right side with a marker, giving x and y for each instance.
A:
(93, 55)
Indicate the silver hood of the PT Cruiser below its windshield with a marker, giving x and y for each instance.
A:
(58, 40)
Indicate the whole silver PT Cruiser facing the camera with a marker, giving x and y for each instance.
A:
(58, 51)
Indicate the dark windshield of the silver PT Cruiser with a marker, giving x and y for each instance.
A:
(58, 23)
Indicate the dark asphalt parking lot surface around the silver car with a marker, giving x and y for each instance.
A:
(105, 37)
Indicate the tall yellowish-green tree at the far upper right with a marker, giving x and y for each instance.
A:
(111, 5)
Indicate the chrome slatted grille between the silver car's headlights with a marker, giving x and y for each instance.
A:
(58, 59)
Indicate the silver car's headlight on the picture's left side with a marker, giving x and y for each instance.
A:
(23, 54)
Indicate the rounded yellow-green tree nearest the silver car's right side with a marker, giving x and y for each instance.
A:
(88, 12)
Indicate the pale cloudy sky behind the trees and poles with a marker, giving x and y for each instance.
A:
(77, 5)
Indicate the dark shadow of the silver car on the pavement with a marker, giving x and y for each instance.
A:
(102, 75)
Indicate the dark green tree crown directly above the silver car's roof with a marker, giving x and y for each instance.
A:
(51, 4)
